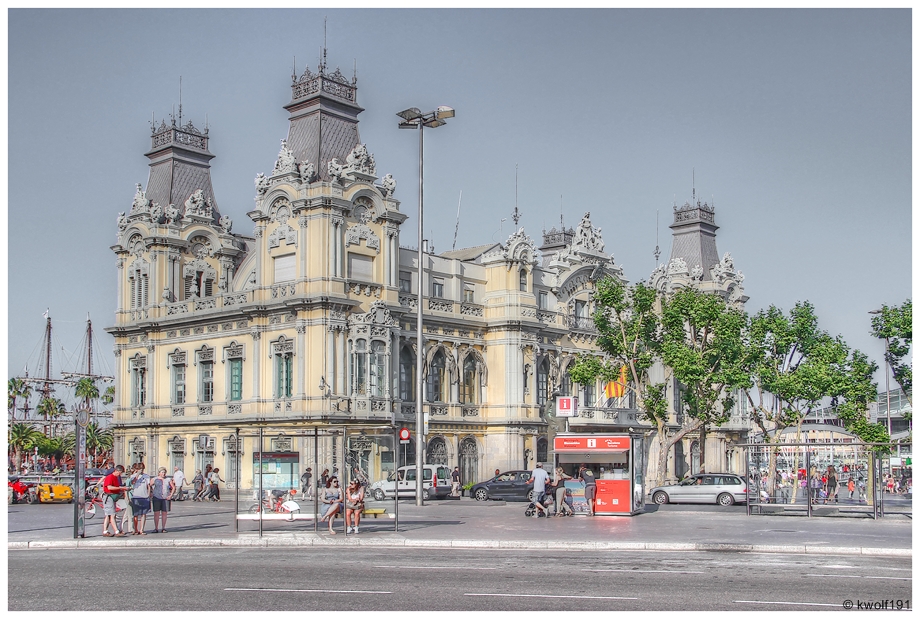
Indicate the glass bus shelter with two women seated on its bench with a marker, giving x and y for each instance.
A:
(271, 458)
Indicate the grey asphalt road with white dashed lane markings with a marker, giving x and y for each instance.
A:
(368, 579)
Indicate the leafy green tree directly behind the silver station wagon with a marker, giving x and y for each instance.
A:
(702, 344)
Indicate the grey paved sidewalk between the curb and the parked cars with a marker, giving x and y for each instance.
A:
(495, 524)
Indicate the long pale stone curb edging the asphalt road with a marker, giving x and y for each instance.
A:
(394, 542)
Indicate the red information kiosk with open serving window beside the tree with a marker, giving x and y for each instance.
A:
(618, 463)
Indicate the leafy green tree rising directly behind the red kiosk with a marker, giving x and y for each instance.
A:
(629, 335)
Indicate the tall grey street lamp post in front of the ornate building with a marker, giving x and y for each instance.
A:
(413, 118)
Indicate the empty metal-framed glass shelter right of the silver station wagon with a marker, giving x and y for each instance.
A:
(816, 479)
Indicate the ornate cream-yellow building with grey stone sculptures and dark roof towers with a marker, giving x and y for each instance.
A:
(309, 320)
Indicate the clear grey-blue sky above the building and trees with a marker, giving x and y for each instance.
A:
(796, 122)
